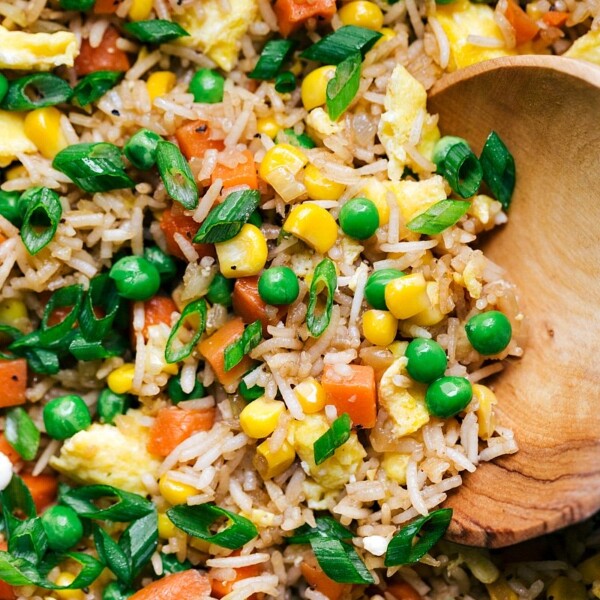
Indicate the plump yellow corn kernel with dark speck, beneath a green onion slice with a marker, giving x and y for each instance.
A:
(243, 255)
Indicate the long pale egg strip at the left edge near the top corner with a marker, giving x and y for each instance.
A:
(36, 51)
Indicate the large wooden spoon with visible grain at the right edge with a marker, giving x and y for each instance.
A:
(547, 111)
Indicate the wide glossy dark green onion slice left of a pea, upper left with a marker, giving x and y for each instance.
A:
(94, 167)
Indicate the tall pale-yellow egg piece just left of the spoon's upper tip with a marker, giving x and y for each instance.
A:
(405, 100)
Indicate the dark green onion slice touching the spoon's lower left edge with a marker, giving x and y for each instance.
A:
(404, 550)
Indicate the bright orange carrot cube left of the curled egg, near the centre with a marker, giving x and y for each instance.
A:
(354, 394)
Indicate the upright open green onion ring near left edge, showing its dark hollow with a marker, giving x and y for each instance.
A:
(41, 218)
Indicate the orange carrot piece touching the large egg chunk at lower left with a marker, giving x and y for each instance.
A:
(174, 425)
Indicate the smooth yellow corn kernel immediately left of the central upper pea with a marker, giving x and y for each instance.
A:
(313, 225)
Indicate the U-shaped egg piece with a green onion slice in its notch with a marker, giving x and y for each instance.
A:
(335, 472)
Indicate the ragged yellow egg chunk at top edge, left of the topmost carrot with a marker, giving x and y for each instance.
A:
(218, 32)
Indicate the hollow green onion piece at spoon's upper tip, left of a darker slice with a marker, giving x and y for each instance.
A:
(458, 165)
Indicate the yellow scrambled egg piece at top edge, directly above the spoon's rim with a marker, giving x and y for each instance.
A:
(461, 19)
